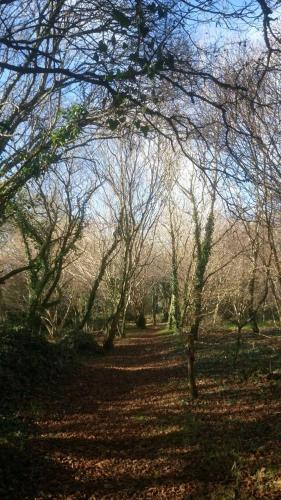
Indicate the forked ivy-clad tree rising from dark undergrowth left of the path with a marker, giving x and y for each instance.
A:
(50, 215)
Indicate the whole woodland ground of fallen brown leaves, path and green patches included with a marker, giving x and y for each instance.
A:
(123, 426)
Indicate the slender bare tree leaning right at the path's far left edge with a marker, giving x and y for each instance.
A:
(137, 180)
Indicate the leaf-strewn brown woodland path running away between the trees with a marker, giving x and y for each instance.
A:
(117, 431)
